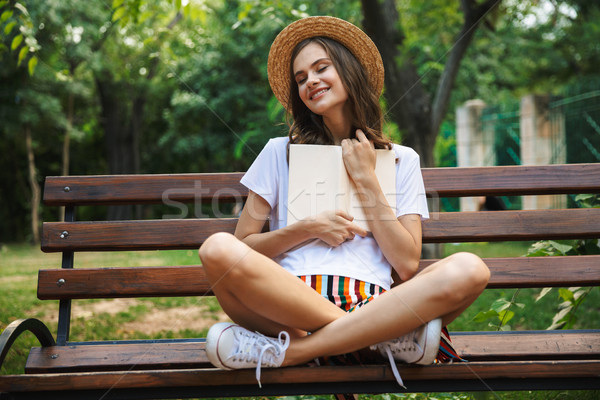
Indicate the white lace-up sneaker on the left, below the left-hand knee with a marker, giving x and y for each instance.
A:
(229, 346)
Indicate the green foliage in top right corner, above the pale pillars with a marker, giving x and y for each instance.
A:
(530, 47)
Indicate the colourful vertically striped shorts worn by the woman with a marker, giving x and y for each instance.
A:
(350, 294)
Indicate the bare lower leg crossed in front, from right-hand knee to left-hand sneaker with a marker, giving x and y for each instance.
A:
(449, 287)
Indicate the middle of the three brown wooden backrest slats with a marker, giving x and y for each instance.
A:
(452, 227)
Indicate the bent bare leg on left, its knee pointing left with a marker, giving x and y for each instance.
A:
(258, 294)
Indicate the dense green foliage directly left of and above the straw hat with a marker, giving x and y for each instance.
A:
(223, 112)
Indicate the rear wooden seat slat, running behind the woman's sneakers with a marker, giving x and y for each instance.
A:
(481, 346)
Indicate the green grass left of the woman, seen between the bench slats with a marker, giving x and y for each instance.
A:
(19, 265)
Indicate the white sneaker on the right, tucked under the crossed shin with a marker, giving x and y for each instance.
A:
(420, 346)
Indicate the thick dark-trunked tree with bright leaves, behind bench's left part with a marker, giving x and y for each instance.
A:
(127, 67)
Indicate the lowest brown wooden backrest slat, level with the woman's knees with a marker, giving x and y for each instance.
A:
(173, 281)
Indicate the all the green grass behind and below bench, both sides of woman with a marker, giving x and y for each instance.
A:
(18, 272)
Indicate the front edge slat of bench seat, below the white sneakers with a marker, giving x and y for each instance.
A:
(365, 373)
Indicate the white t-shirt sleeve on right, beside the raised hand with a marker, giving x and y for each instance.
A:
(410, 189)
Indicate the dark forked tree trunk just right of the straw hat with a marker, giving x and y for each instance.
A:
(417, 112)
